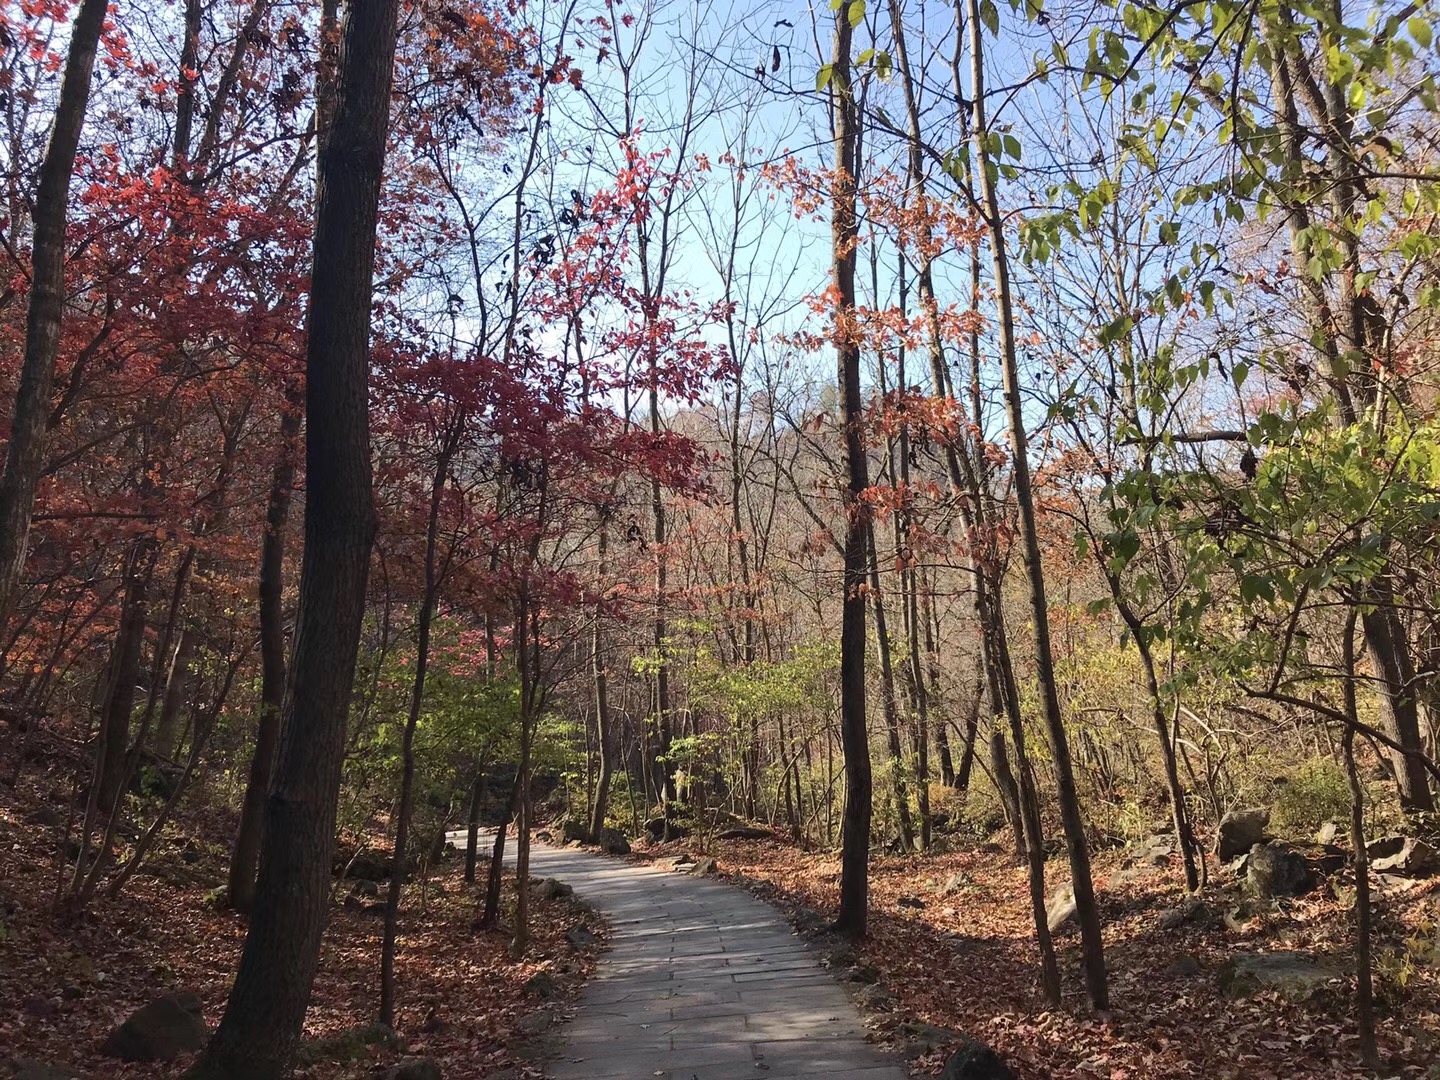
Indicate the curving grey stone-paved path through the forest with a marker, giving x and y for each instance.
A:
(702, 983)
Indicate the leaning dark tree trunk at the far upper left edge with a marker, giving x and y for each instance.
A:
(25, 453)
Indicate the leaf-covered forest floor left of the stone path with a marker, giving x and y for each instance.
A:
(67, 983)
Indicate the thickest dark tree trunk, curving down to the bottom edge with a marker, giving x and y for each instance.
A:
(260, 1032)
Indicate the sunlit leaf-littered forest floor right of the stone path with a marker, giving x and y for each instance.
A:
(951, 938)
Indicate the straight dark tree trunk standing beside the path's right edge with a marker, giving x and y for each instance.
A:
(855, 883)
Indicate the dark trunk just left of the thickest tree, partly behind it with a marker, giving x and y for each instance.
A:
(247, 852)
